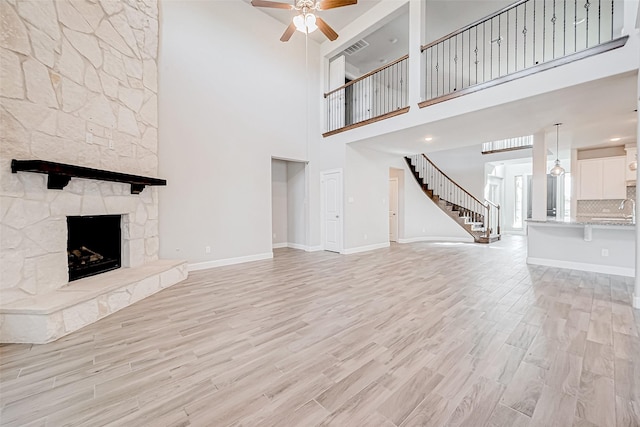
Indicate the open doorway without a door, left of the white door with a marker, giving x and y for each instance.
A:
(288, 200)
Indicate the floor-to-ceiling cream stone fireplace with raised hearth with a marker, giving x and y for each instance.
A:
(79, 87)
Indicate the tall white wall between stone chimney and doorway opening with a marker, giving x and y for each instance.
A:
(232, 96)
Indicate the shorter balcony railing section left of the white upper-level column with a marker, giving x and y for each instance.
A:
(376, 95)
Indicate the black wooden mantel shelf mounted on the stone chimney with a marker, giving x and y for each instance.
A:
(59, 174)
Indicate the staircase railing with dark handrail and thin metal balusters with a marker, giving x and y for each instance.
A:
(449, 191)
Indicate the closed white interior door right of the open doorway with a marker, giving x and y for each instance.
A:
(331, 182)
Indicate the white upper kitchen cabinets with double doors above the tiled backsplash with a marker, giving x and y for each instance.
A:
(602, 178)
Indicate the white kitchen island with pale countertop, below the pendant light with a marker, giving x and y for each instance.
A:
(598, 246)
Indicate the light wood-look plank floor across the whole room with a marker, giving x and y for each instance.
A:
(423, 334)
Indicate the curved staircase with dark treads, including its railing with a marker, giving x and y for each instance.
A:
(480, 220)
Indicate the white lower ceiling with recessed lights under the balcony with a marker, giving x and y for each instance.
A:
(592, 113)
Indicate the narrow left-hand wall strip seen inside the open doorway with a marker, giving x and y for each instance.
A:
(279, 202)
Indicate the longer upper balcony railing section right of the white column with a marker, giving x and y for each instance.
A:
(525, 35)
